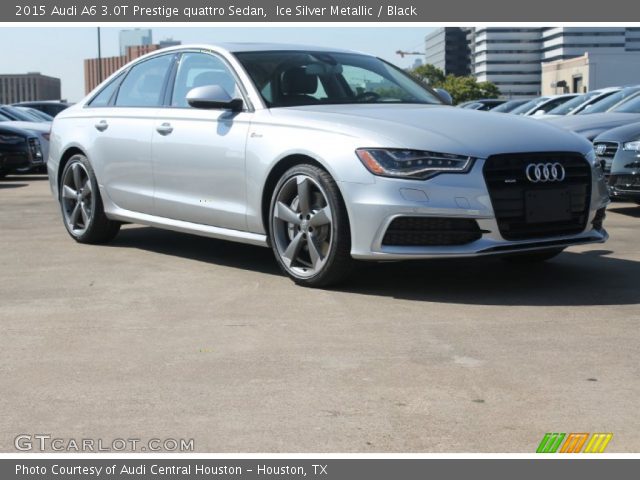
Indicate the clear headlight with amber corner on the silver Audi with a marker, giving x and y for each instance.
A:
(395, 162)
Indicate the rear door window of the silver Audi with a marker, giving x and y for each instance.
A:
(142, 87)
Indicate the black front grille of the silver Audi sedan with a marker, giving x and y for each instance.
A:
(509, 188)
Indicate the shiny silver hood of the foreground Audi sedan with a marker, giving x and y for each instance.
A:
(435, 128)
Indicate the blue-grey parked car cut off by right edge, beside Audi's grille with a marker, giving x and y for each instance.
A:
(619, 148)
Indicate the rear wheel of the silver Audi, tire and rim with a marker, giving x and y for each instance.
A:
(82, 209)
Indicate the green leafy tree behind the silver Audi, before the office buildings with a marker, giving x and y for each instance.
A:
(461, 89)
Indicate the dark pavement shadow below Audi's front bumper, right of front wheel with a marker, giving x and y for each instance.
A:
(593, 277)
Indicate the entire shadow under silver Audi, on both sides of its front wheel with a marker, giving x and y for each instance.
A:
(594, 277)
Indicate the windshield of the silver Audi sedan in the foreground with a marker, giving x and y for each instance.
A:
(294, 78)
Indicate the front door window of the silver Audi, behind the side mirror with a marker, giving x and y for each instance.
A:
(198, 70)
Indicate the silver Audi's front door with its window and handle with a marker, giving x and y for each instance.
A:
(199, 155)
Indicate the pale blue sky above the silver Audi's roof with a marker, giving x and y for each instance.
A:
(60, 51)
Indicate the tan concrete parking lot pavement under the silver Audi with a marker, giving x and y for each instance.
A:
(162, 334)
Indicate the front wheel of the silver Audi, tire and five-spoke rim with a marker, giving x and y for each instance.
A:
(309, 228)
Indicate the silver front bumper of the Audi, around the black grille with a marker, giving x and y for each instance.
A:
(372, 208)
